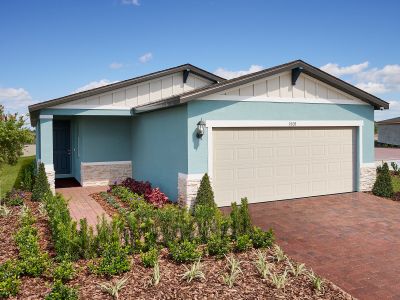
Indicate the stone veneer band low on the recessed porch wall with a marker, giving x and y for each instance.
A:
(104, 173)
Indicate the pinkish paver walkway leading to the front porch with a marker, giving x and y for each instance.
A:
(81, 205)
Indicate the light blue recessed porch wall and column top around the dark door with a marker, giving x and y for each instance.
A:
(93, 138)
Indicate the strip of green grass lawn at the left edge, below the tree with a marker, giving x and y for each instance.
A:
(9, 174)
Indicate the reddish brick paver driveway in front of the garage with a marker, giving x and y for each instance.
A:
(352, 239)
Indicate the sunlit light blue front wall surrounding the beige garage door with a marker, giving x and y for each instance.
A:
(233, 110)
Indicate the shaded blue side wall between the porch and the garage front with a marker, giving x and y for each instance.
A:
(159, 148)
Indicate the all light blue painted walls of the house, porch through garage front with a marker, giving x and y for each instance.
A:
(163, 143)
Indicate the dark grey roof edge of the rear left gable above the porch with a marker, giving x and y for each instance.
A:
(121, 84)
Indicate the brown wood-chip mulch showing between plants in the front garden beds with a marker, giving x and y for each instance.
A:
(248, 286)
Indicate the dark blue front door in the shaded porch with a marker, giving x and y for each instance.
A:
(62, 146)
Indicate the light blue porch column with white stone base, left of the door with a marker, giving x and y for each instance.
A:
(46, 147)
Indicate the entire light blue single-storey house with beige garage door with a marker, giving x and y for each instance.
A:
(286, 132)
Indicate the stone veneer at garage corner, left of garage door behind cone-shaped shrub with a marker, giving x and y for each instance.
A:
(188, 184)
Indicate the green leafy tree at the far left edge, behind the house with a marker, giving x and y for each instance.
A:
(13, 136)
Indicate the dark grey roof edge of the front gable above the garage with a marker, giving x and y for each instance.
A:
(228, 84)
